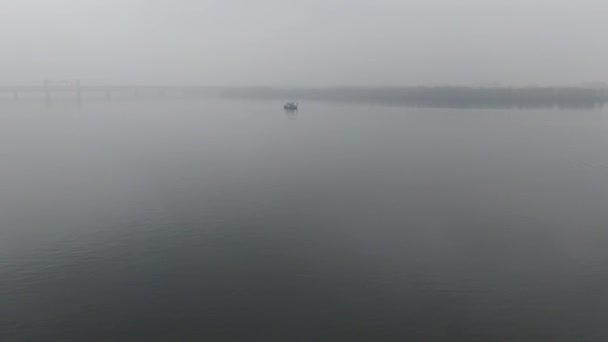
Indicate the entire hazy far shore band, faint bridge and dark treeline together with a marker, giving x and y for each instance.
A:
(436, 97)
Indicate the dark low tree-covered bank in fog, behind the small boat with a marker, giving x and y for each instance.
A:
(444, 96)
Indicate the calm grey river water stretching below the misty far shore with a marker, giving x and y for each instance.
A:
(232, 220)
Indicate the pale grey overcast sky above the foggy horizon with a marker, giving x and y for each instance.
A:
(304, 42)
